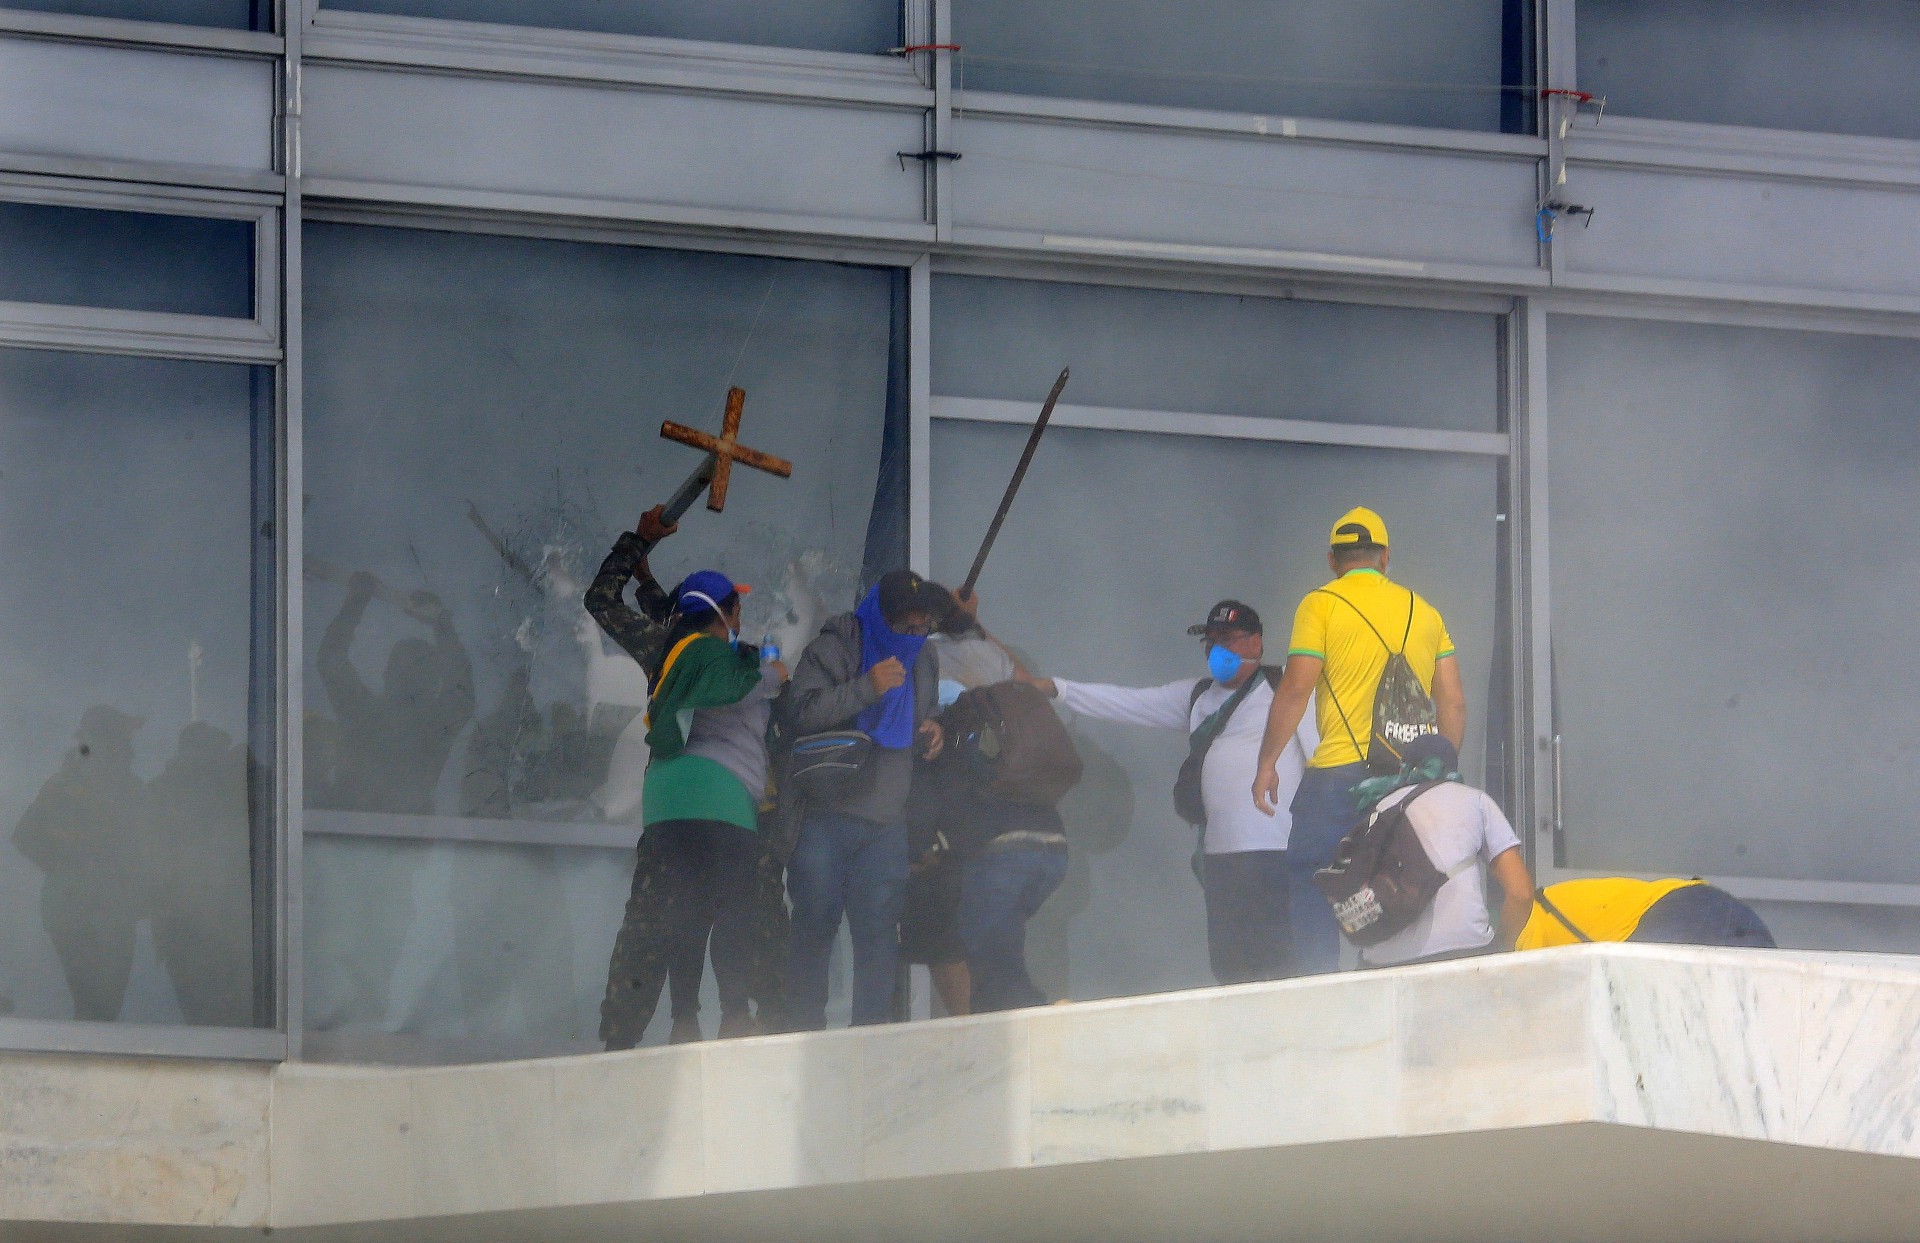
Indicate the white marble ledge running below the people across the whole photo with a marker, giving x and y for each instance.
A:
(1742, 1046)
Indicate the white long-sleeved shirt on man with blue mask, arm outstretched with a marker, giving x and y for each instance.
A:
(1234, 823)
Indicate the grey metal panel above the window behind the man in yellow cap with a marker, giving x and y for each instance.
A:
(1255, 193)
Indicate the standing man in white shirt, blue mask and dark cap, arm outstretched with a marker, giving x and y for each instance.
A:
(1249, 908)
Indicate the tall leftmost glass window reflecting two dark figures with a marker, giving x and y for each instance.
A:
(137, 729)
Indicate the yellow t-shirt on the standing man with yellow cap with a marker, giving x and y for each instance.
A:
(1356, 658)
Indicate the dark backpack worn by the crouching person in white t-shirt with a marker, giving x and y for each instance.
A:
(1381, 877)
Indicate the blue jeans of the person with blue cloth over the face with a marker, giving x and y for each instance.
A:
(857, 869)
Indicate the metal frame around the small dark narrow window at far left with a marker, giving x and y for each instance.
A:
(49, 326)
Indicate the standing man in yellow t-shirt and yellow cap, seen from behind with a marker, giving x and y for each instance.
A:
(1345, 635)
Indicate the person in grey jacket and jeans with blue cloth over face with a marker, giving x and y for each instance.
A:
(869, 671)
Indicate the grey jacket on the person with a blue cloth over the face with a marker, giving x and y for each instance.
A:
(828, 691)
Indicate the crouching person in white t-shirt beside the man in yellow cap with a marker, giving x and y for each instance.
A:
(1462, 829)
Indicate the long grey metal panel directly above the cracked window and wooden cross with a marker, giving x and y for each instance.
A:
(594, 143)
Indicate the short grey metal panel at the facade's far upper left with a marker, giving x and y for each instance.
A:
(153, 107)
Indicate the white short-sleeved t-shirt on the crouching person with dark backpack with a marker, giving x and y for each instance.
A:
(1456, 825)
